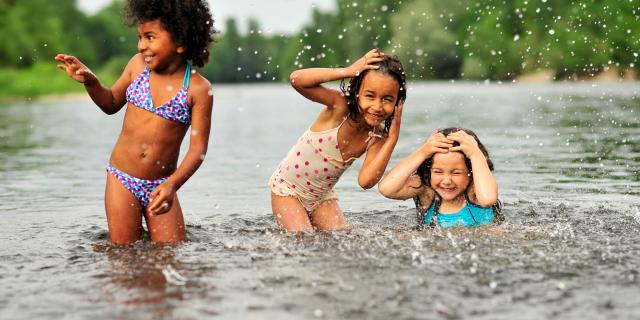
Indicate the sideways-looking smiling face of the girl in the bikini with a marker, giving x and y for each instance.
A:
(156, 44)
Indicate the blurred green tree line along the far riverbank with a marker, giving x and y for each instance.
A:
(435, 39)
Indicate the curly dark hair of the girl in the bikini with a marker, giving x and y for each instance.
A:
(188, 21)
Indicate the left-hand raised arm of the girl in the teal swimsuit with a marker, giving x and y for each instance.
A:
(401, 183)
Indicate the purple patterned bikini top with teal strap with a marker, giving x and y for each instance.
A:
(176, 109)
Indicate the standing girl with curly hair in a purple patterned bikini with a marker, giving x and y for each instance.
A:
(163, 96)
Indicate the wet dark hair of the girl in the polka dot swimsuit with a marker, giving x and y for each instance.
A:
(390, 65)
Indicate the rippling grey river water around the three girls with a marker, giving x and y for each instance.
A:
(566, 158)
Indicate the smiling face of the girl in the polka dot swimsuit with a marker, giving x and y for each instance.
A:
(377, 97)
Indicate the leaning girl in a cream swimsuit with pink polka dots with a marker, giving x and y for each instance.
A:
(363, 117)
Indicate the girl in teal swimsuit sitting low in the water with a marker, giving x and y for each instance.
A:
(449, 177)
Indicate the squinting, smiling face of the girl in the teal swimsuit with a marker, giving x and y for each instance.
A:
(449, 175)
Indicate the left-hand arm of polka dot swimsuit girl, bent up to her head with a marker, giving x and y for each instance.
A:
(309, 81)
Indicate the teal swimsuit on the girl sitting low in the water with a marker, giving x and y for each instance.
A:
(469, 216)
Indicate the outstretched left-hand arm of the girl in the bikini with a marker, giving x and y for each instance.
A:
(110, 100)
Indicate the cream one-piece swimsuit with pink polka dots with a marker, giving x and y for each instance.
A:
(311, 169)
